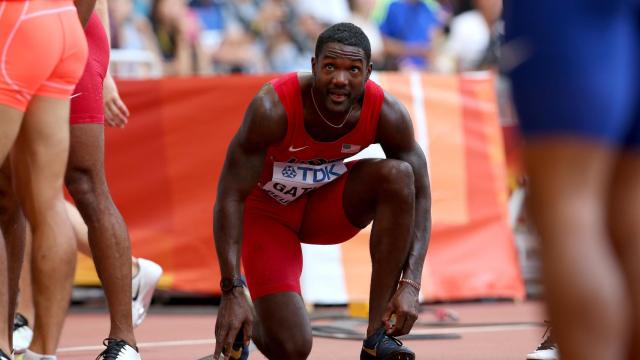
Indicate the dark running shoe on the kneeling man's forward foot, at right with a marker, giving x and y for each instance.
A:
(382, 346)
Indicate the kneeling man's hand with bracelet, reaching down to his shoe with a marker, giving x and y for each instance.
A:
(404, 305)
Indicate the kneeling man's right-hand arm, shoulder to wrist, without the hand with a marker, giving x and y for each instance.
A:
(395, 135)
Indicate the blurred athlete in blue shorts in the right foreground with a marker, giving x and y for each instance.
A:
(576, 88)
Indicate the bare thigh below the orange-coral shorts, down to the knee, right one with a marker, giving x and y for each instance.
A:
(40, 153)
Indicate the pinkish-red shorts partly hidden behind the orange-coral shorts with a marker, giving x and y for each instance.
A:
(87, 105)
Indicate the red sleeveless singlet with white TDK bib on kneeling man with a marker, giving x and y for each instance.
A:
(299, 164)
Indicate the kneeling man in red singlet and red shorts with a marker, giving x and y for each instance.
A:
(284, 183)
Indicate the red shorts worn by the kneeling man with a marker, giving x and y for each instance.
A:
(273, 233)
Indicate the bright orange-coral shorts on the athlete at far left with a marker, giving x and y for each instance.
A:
(42, 50)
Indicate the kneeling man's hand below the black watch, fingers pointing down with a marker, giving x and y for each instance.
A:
(234, 313)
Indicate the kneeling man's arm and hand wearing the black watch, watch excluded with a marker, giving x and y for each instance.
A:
(265, 123)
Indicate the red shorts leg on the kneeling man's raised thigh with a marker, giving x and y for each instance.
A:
(325, 221)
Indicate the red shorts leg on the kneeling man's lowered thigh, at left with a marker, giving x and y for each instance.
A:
(271, 253)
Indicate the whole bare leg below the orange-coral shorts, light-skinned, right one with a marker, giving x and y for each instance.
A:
(39, 160)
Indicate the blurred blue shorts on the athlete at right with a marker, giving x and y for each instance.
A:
(573, 66)
